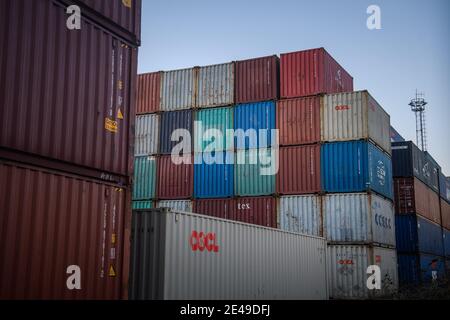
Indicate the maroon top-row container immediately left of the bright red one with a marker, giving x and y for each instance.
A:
(257, 79)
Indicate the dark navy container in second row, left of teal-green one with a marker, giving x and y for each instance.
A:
(172, 121)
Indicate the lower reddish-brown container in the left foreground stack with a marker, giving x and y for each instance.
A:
(51, 221)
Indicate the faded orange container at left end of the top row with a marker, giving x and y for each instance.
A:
(148, 93)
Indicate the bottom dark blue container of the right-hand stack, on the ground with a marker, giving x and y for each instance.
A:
(416, 269)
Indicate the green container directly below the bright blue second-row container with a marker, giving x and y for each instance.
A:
(250, 176)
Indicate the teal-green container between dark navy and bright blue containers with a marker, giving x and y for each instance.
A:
(220, 119)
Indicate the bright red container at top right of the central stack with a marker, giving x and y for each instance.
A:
(312, 72)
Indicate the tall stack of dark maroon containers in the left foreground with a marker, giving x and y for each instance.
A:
(67, 100)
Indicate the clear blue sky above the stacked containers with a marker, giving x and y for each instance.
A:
(412, 50)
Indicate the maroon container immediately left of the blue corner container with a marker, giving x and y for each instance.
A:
(299, 170)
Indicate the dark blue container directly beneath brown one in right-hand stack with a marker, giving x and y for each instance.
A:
(417, 234)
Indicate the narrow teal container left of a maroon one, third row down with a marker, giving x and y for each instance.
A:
(144, 187)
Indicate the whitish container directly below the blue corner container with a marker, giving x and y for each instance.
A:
(358, 218)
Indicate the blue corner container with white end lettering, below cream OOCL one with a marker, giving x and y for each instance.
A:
(355, 166)
